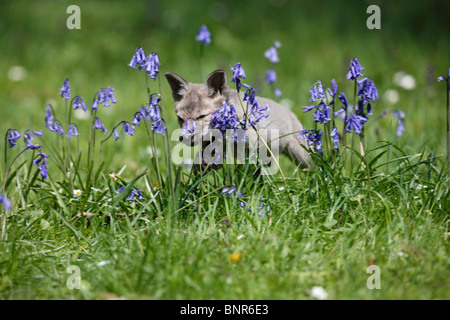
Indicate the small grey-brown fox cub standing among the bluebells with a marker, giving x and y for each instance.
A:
(198, 102)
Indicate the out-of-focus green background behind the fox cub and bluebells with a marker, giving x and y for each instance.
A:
(318, 40)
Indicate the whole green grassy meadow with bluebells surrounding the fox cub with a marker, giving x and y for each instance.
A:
(117, 219)
